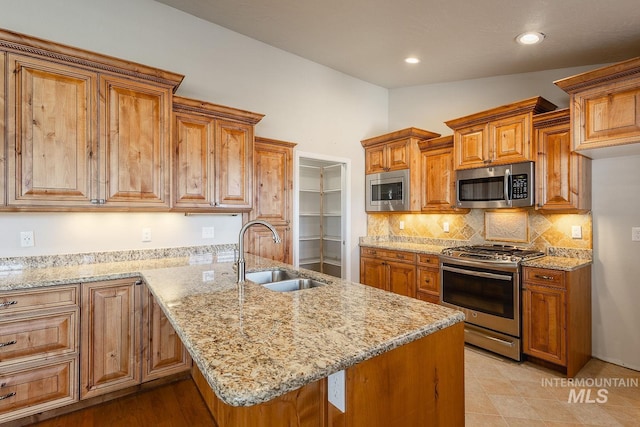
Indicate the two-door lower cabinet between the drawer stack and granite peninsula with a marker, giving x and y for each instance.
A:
(126, 339)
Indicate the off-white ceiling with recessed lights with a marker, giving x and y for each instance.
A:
(455, 39)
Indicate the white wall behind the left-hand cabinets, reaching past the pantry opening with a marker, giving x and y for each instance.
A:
(322, 110)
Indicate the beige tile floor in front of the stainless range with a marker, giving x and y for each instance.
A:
(501, 392)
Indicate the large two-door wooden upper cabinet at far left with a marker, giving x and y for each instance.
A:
(83, 129)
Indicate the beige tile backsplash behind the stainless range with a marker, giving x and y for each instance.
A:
(546, 233)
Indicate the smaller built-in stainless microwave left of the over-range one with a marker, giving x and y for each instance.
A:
(387, 191)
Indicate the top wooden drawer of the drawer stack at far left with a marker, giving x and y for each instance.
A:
(33, 299)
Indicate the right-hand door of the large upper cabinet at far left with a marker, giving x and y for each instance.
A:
(134, 124)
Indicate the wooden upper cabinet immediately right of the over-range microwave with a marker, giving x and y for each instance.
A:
(563, 177)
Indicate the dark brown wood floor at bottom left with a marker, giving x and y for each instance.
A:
(177, 404)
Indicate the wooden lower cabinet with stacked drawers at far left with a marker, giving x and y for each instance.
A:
(39, 334)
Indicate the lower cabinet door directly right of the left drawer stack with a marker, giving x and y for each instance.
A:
(110, 337)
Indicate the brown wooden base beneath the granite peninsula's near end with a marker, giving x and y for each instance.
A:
(418, 384)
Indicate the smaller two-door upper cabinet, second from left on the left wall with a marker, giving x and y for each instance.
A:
(213, 156)
